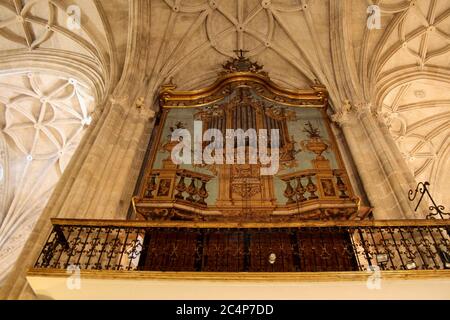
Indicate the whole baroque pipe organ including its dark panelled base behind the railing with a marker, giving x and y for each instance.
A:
(229, 217)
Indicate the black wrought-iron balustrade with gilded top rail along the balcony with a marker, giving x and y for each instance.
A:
(307, 246)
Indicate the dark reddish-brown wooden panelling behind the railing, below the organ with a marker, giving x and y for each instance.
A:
(248, 250)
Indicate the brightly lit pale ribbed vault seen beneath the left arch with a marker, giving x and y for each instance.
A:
(43, 119)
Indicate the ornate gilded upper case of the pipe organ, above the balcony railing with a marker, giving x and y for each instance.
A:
(310, 181)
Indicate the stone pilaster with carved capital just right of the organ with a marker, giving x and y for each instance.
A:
(380, 172)
